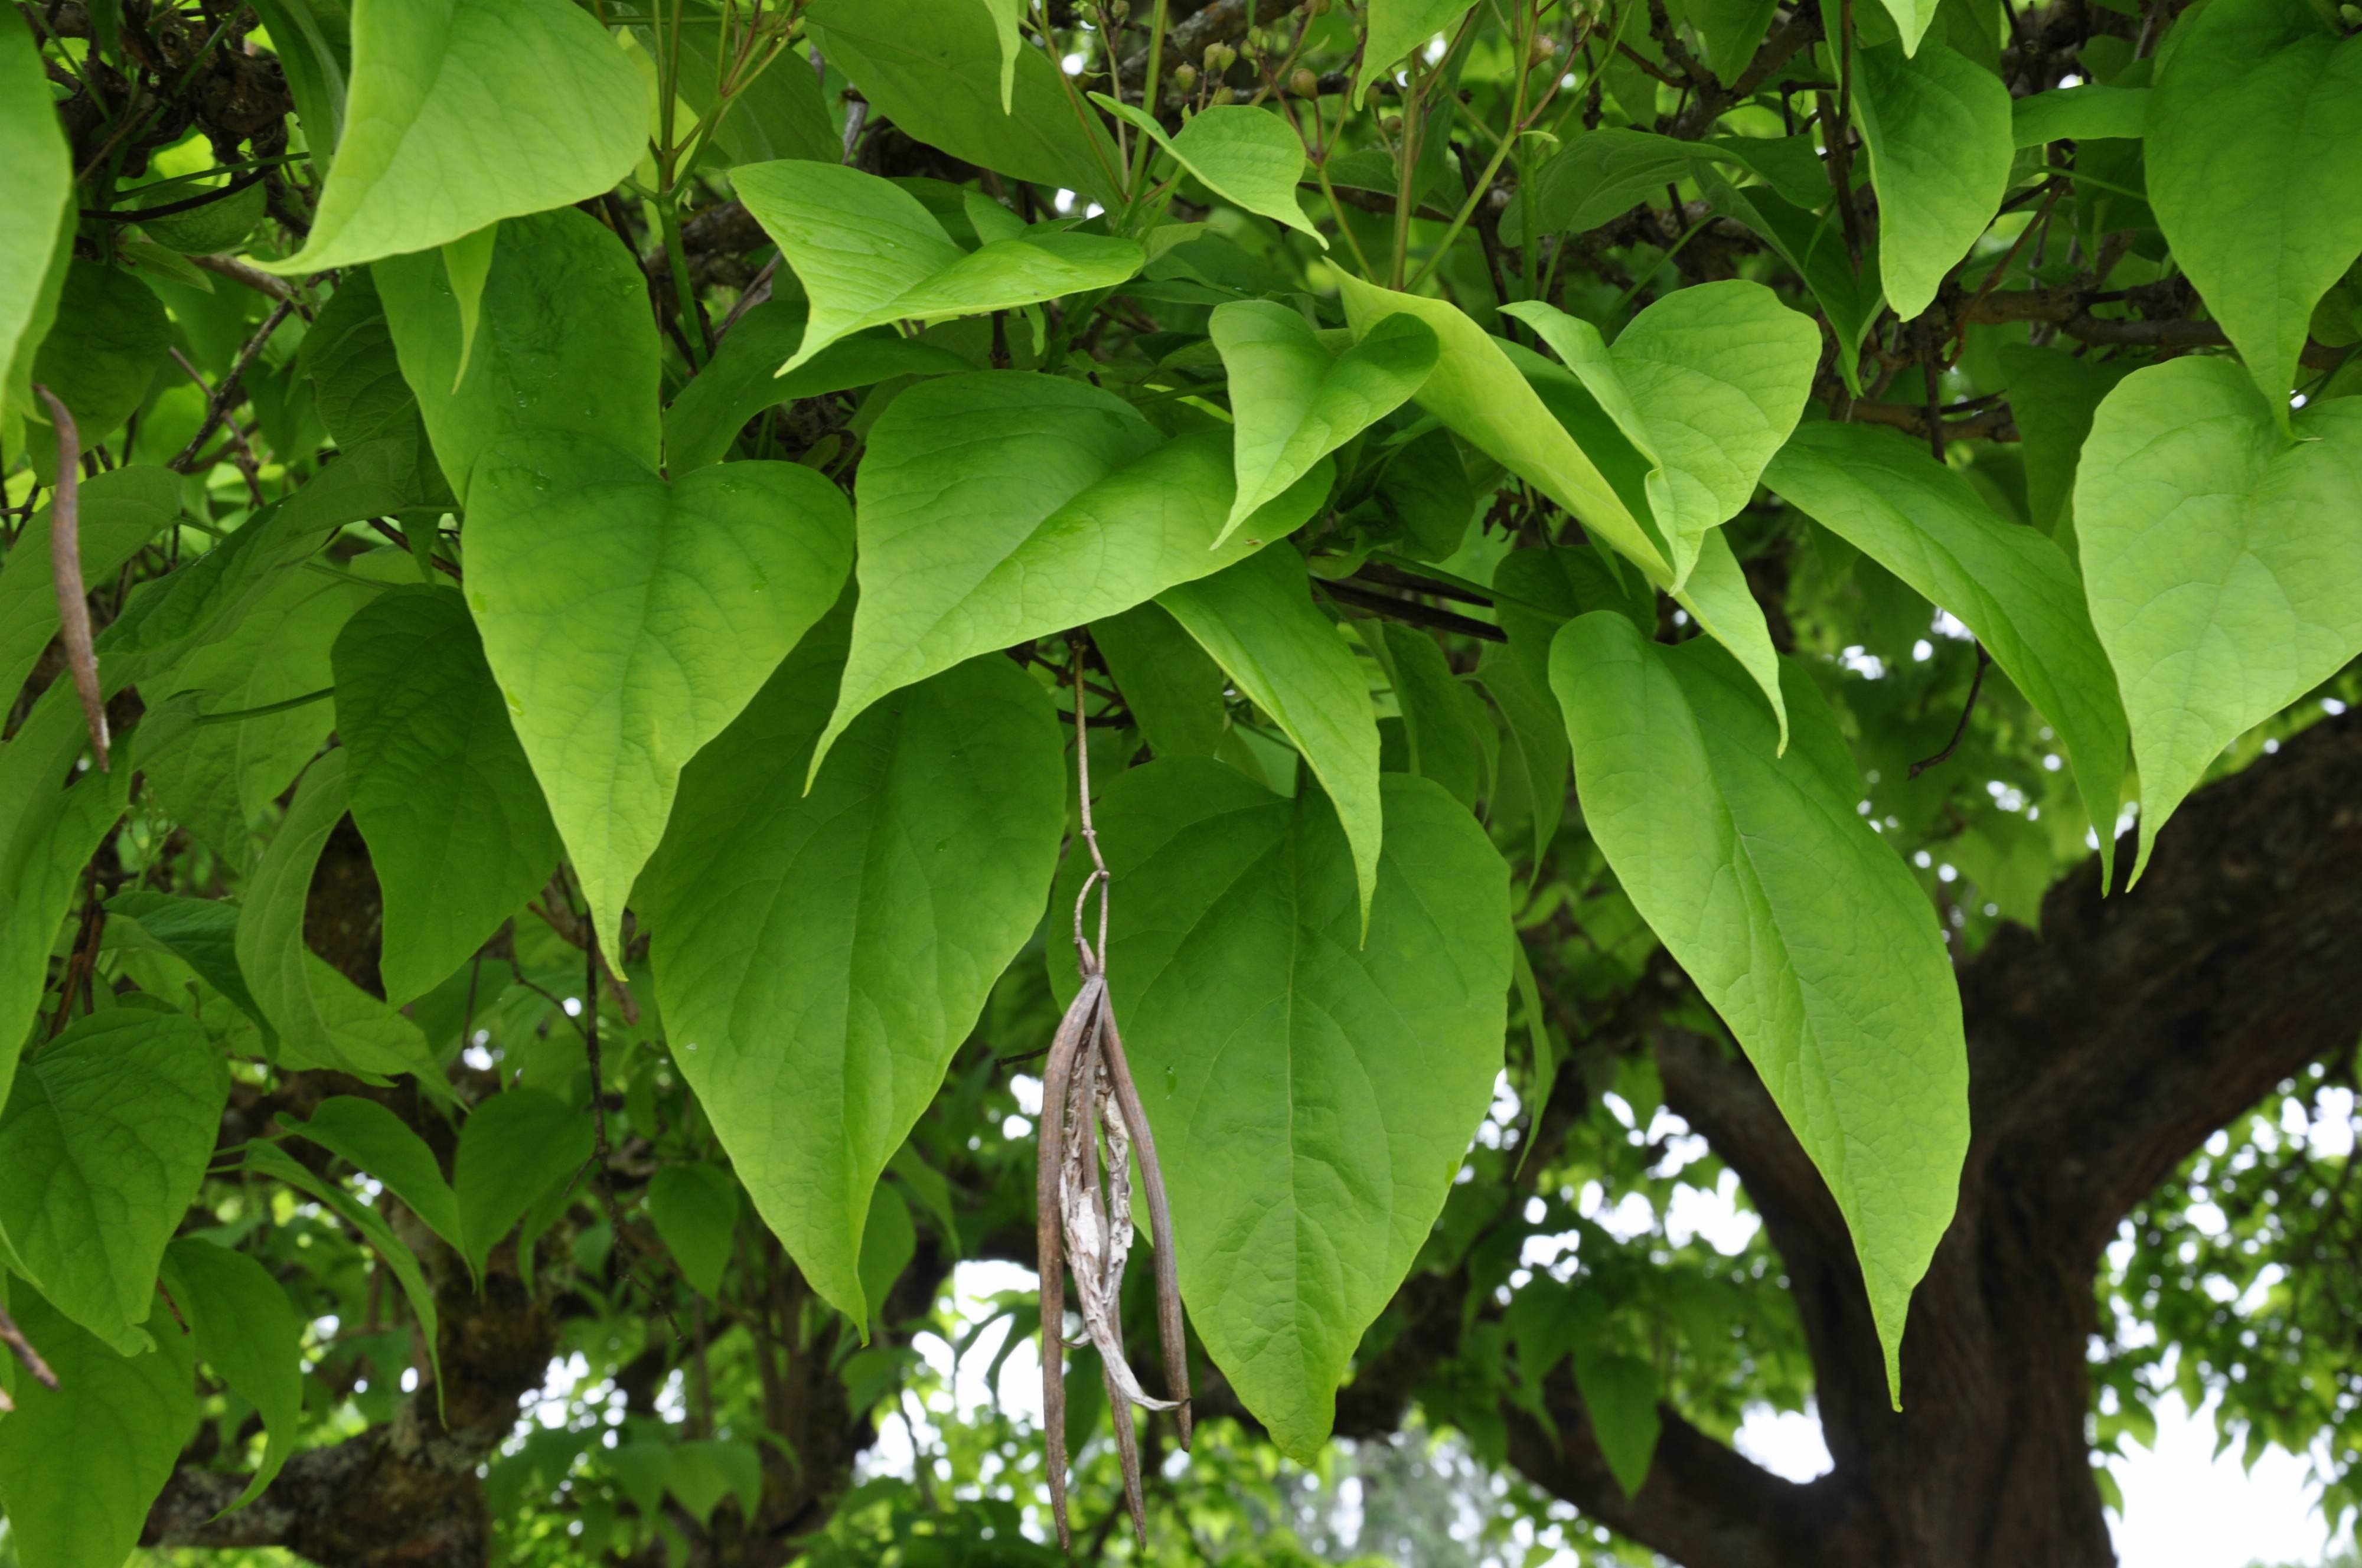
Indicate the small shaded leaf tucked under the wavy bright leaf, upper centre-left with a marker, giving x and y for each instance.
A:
(743, 379)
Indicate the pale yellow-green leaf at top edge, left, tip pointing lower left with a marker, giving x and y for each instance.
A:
(466, 115)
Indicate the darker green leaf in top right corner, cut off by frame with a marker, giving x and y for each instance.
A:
(2255, 171)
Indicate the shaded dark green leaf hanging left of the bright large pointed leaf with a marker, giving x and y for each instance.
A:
(441, 788)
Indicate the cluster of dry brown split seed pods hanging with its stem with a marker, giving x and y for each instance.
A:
(1092, 1132)
